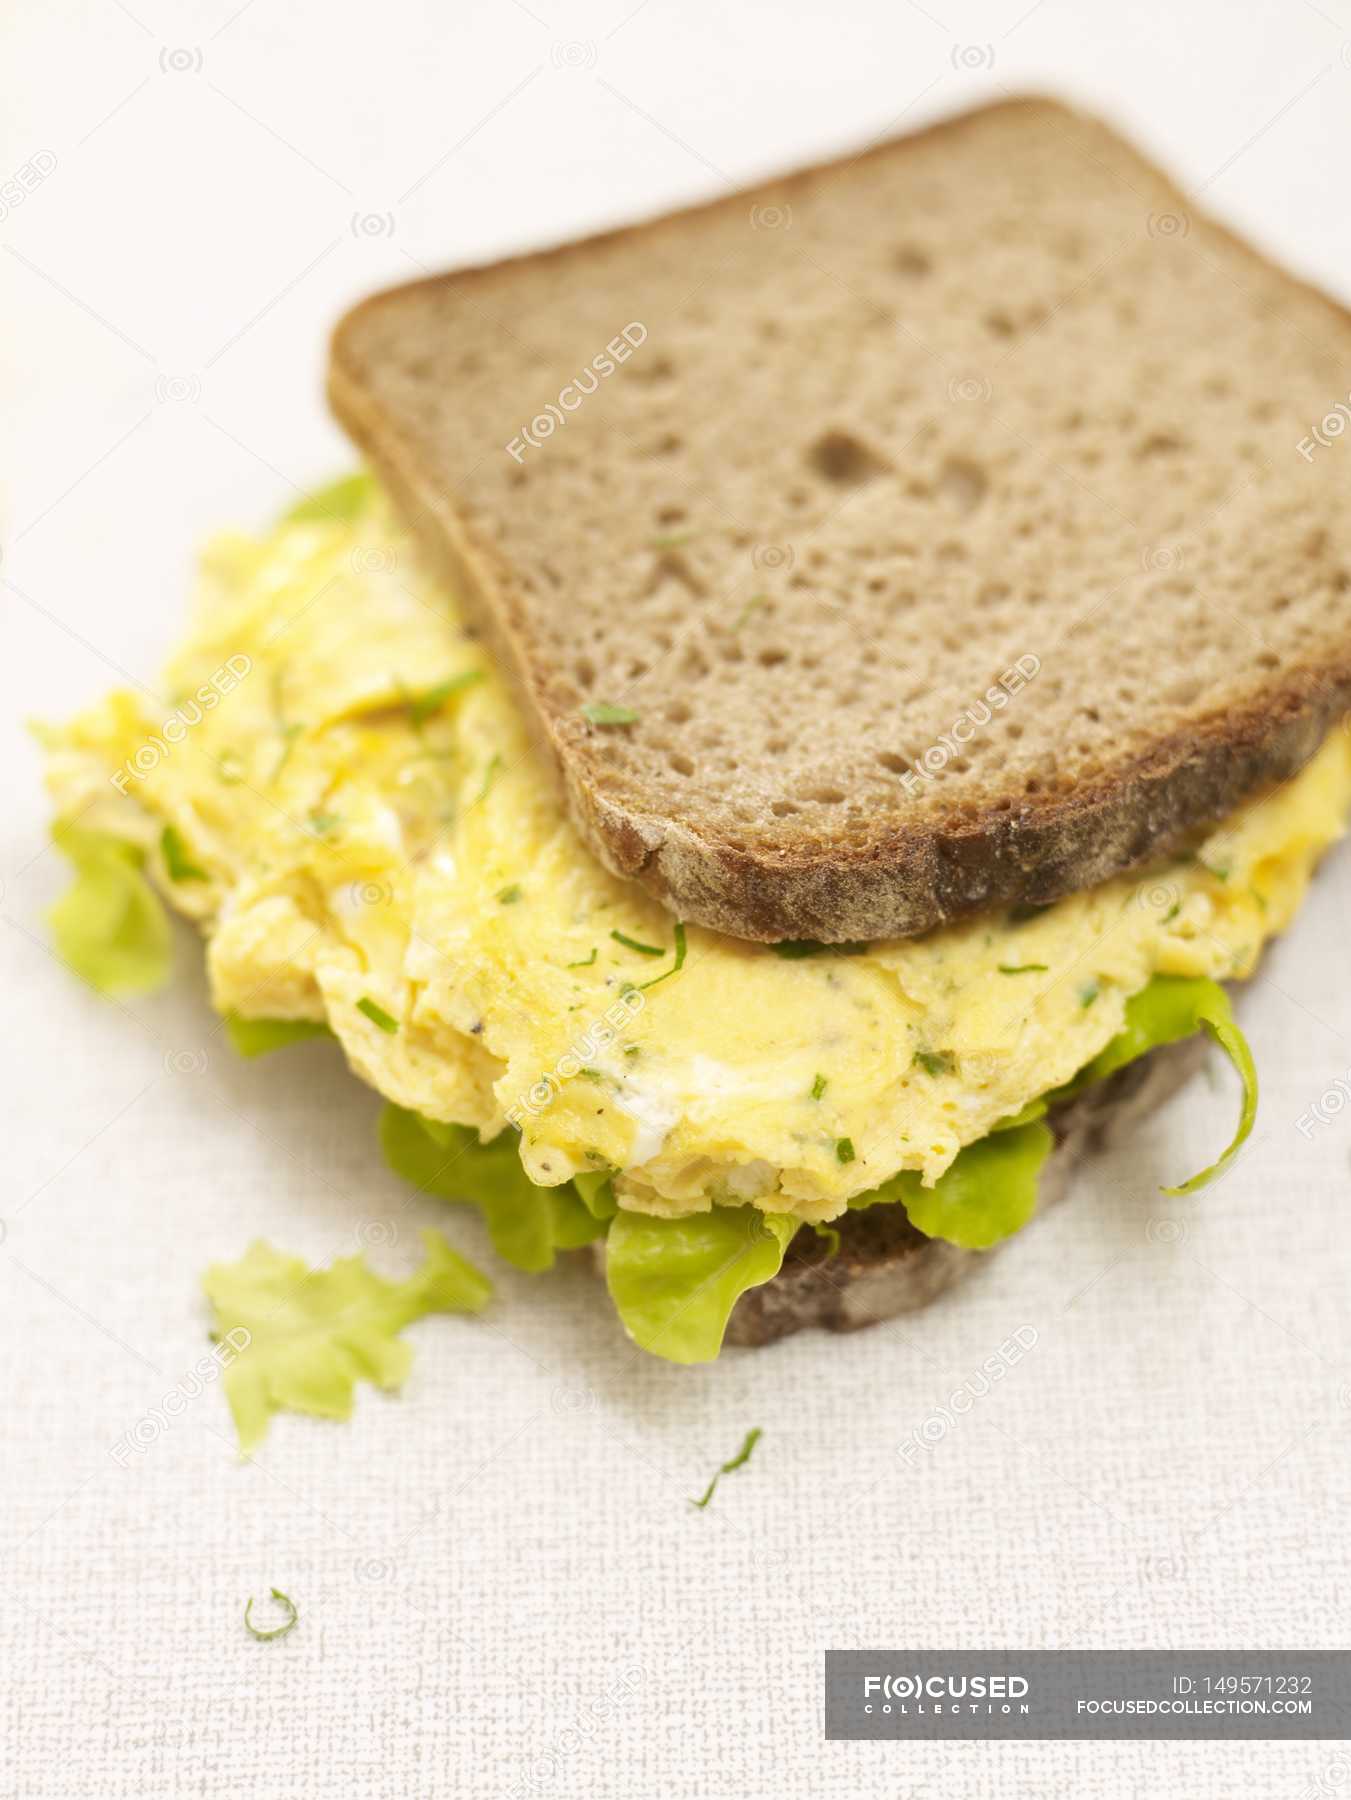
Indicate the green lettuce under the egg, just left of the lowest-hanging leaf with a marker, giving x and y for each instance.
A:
(526, 1223)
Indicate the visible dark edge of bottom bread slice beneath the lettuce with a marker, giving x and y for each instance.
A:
(886, 1266)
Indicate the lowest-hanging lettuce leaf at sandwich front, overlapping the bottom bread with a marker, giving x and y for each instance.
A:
(675, 1281)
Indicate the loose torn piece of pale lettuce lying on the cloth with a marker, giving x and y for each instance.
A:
(303, 1338)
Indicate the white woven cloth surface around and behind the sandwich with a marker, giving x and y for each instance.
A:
(479, 1561)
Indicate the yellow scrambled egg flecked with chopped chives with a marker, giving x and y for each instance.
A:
(366, 836)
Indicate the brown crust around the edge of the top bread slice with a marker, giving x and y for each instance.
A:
(918, 876)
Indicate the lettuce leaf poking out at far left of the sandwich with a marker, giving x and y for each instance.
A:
(111, 926)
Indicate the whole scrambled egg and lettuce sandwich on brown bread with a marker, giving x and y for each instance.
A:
(791, 737)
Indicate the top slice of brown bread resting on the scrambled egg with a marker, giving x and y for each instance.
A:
(963, 521)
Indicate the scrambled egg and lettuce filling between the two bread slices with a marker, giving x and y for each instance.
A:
(348, 804)
